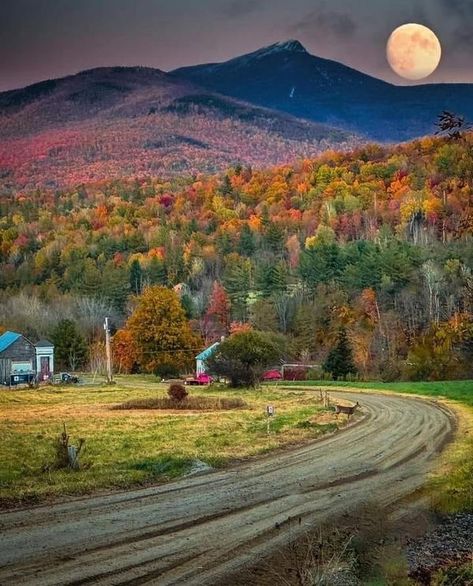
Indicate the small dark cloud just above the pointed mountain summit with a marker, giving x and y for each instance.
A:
(326, 21)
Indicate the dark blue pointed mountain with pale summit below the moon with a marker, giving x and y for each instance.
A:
(285, 77)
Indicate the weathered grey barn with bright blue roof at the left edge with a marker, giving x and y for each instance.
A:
(21, 361)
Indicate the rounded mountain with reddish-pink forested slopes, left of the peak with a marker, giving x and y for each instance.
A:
(134, 121)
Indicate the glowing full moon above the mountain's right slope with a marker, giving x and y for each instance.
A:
(413, 51)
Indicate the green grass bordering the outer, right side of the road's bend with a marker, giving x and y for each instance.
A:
(451, 486)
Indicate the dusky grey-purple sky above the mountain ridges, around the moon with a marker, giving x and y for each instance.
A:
(44, 39)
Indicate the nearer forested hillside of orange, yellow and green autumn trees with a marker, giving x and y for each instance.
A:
(378, 242)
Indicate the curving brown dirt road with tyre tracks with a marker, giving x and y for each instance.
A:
(200, 529)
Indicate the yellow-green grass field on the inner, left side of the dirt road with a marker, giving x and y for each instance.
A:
(131, 448)
